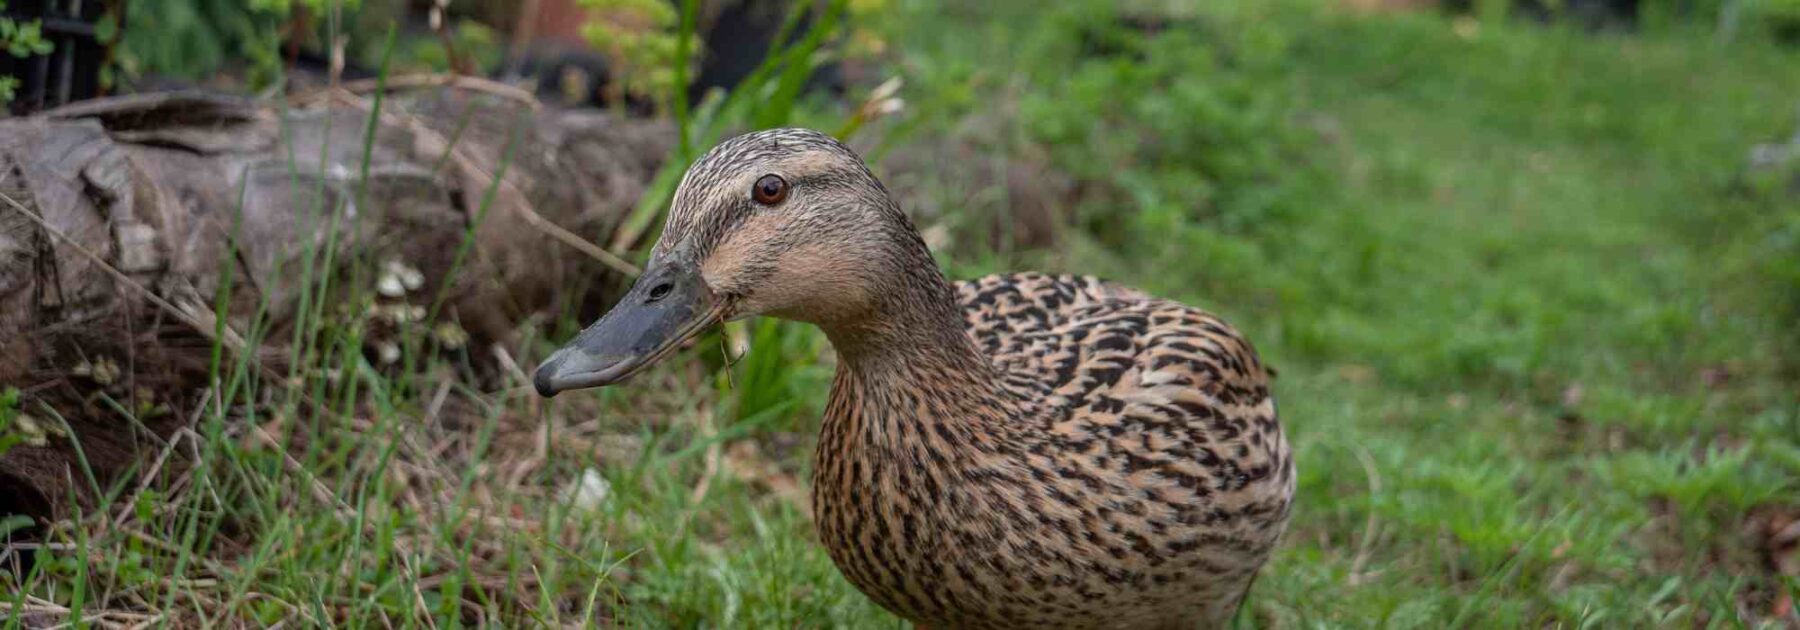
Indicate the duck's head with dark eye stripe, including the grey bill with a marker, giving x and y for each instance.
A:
(786, 222)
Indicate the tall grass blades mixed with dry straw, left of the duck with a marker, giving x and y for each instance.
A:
(346, 494)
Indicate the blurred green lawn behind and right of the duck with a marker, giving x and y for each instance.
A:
(1533, 361)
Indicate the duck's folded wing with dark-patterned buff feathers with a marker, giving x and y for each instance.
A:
(1142, 393)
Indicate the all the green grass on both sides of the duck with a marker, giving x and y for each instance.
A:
(1533, 321)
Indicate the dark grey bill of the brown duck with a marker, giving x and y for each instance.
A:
(669, 305)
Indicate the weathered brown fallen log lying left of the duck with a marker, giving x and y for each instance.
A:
(125, 222)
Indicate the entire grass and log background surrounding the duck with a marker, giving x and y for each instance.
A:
(1529, 273)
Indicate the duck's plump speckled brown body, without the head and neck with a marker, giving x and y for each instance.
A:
(1119, 465)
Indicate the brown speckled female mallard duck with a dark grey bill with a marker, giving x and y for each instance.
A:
(1012, 453)
